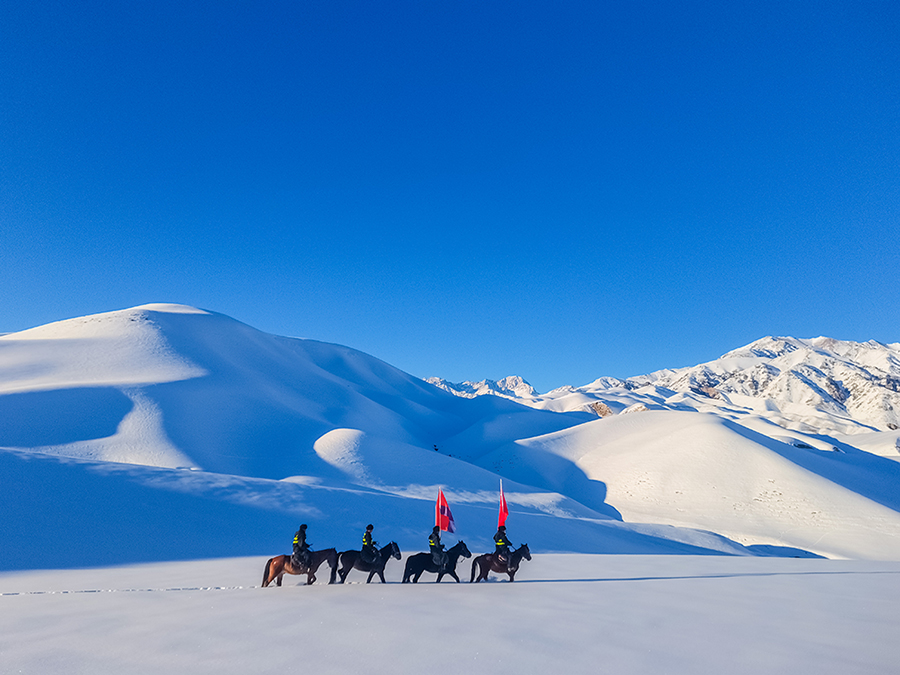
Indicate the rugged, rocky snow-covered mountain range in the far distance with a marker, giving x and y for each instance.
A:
(818, 385)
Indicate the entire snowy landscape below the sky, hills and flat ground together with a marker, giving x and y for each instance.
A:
(738, 516)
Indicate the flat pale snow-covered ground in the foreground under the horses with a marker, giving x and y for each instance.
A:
(681, 615)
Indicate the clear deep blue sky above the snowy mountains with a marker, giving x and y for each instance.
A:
(469, 189)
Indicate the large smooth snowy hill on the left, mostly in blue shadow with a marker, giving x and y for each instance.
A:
(210, 392)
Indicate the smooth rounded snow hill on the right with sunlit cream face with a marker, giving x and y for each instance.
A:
(701, 471)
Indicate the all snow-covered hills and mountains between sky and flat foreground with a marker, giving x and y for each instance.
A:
(174, 425)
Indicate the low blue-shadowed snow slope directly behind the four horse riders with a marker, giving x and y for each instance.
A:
(62, 513)
